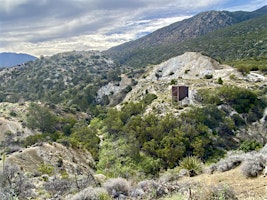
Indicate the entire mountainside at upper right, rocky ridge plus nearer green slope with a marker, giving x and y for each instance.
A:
(219, 34)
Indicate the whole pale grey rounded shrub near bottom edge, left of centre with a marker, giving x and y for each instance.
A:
(117, 187)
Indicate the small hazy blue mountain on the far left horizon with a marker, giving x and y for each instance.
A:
(12, 59)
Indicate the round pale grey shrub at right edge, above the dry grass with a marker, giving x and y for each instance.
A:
(252, 167)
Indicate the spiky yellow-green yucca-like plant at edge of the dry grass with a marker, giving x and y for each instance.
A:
(193, 164)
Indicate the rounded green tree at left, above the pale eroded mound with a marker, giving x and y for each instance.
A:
(40, 117)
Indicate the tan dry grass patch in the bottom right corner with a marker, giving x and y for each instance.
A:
(245, 188)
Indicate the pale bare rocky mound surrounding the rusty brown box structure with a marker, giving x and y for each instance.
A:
(193, 70)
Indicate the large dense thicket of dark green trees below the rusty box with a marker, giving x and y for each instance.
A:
(165, 138)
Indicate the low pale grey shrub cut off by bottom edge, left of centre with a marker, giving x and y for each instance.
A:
(92, 194)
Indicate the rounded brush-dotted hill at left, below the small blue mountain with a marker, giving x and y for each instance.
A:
(71, 78)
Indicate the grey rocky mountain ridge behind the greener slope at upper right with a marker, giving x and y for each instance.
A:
(174, 39)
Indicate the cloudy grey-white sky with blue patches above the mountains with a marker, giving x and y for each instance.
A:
(47, 27)
